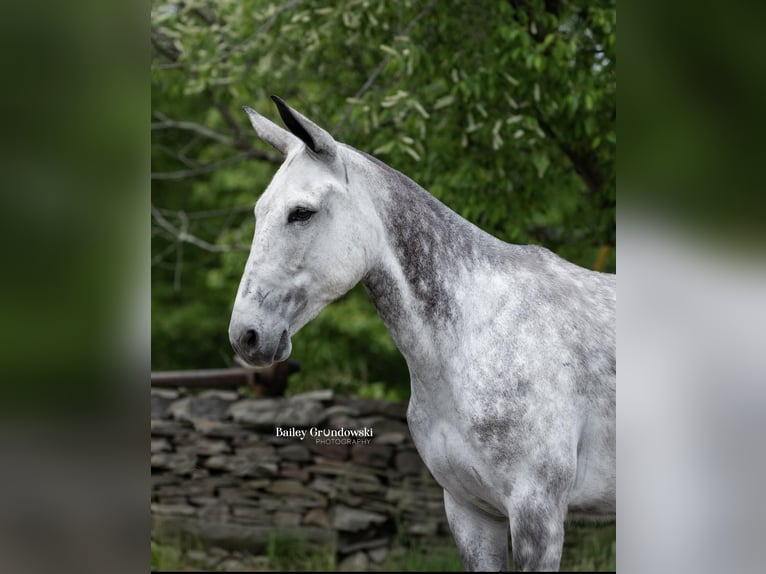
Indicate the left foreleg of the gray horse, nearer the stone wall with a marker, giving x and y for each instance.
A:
(482, 540)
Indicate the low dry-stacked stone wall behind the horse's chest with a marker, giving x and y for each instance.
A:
(222, 474)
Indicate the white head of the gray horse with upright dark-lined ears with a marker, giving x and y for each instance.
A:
(312, 243)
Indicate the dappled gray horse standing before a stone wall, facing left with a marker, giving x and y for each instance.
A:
(511, 349)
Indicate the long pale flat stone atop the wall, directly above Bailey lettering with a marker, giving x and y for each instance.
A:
(267, 414)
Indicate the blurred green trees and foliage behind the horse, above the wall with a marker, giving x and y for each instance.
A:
(505, 111)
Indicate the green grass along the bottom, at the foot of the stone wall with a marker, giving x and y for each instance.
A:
(589, 547)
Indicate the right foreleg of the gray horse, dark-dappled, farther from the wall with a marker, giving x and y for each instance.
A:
(537, 535)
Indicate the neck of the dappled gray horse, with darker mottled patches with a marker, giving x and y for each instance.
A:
(416, 278)
